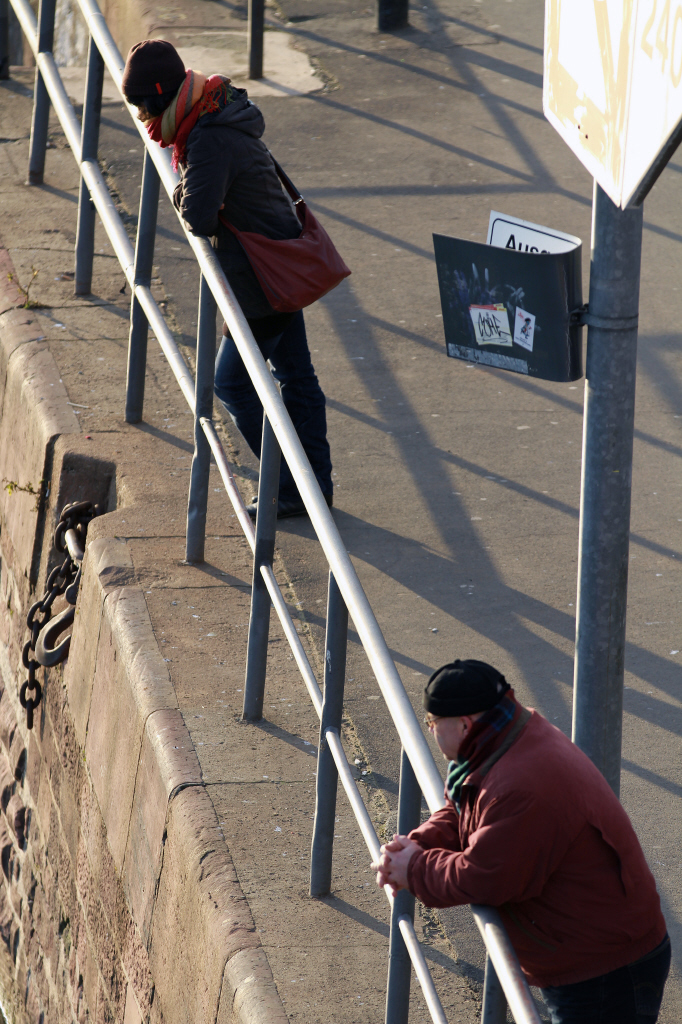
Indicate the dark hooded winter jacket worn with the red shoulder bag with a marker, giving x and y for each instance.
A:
(229, 163)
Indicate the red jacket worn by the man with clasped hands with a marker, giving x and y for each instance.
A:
(543, 838)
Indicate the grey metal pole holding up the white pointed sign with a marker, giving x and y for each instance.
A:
(608, 445)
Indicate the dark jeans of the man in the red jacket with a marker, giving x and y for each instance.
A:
(630, 996)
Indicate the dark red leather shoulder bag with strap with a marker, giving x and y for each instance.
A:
(293, 273)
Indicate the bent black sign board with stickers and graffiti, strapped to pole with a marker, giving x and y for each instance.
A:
(511, 310)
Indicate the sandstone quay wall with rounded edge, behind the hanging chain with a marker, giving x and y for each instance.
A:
(118, 898)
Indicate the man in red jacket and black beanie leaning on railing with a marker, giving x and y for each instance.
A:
(532, 828)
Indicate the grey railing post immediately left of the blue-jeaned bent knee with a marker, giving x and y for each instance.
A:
(201, 462)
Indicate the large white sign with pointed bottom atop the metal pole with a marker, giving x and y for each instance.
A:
(614, 88)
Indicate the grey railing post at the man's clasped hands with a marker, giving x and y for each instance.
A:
(400, 966)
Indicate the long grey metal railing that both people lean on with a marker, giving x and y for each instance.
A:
(419, 775)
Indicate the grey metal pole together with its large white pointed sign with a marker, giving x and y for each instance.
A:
(614, 92)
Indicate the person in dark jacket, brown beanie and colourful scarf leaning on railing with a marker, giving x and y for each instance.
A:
(227, 172)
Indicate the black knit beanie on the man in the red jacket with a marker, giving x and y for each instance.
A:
(464, 689)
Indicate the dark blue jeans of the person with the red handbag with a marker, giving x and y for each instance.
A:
(290, 360)
